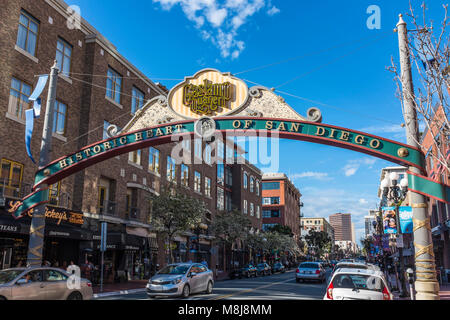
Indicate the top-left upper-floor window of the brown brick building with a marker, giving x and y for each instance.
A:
(28, 33)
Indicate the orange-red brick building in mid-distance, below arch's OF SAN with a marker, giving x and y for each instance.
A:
(281, 202)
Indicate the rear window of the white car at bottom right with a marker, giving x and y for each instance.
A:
(358, 281)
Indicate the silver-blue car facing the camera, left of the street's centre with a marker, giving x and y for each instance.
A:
(181, 279)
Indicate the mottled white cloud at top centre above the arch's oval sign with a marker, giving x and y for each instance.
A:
(219, 20)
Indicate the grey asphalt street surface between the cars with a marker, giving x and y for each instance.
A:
(274, 287)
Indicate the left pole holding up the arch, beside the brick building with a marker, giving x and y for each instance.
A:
(37, 227)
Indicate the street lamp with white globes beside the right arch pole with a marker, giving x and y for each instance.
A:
(396, 193)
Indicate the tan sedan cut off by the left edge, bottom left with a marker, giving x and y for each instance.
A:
(42, 283)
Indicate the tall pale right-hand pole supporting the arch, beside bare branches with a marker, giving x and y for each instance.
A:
(426, 283)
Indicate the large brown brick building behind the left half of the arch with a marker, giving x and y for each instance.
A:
(97, 87)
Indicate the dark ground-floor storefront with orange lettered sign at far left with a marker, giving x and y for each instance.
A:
(65, 236)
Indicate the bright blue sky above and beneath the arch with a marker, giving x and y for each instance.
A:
(343, 67)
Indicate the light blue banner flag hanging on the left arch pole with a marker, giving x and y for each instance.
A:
(33, 113)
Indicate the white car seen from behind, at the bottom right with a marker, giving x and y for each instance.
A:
(358, 284)
